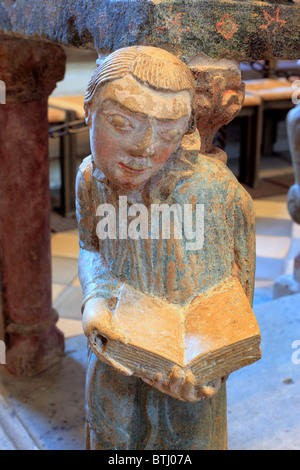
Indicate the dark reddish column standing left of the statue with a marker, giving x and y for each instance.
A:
(30, 70)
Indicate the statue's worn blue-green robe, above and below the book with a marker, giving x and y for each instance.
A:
(124, 412)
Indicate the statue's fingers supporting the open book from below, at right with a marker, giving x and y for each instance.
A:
(181, 385)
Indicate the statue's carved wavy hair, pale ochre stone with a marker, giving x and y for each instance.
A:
(151, 66)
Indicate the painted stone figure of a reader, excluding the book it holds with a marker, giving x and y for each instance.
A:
(139, 105)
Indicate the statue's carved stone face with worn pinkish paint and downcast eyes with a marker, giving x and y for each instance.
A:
(134, 130)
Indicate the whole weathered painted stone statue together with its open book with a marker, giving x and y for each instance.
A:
(139, 104)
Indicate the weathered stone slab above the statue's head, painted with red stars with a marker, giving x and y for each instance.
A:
(220, 28)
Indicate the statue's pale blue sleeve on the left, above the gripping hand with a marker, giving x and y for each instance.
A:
(94, 275)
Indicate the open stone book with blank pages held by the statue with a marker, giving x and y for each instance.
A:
(214, 335)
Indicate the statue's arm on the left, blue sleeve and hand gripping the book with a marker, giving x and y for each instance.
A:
(100, 288)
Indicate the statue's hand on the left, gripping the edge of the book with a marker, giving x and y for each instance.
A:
(100, 326)
